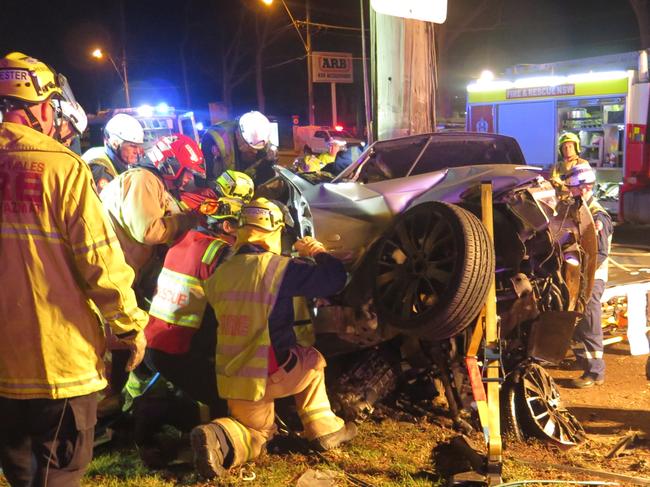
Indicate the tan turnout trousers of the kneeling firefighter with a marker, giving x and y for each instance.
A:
(252, 423)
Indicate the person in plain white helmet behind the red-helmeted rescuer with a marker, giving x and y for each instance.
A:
(123, 147)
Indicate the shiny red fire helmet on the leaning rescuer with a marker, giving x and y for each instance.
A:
(173, 153)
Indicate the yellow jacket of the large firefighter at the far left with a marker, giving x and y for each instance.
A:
(58, 254)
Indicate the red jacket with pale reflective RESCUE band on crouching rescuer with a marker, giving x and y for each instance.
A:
(179, 305)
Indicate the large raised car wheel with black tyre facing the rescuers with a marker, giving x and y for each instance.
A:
(433, 270)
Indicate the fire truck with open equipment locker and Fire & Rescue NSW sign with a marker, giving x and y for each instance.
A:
(603, 100)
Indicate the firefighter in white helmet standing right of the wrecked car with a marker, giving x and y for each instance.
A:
(580, 180)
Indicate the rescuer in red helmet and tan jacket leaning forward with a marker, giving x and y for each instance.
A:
(147, 217)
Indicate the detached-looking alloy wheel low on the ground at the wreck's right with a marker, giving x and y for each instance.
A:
(540, 411)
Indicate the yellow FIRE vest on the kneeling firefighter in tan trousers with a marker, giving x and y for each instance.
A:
(243, 291)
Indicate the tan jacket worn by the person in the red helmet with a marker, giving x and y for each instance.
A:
(145, 214)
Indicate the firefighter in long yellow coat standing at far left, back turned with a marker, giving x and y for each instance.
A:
(60, 253)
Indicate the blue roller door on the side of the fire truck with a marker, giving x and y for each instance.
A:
(533, 125)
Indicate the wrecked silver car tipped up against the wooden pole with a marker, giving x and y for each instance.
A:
(405, 219)
